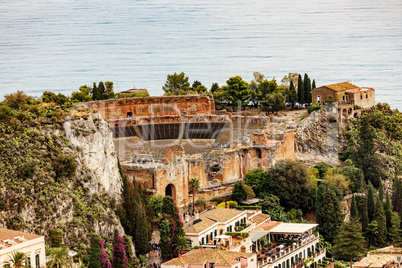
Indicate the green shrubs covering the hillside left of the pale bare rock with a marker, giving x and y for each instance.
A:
(44, 183)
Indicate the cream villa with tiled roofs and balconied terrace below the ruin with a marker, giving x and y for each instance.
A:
(276, 244)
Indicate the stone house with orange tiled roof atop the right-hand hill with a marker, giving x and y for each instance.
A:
(344, 93)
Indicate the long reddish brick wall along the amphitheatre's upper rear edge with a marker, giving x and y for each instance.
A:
(114, 109)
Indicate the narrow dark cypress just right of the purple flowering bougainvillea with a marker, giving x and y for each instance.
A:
(141, 232)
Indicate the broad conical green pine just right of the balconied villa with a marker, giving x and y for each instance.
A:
(349, 244)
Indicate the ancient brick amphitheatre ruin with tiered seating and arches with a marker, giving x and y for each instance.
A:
(163, 142)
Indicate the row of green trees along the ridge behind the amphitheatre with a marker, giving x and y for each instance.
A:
(260, 92)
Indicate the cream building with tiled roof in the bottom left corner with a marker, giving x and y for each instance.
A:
(32, 245)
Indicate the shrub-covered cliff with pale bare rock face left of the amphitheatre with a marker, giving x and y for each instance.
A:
(63, 175)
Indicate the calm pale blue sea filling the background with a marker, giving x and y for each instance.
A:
(59, 45)
